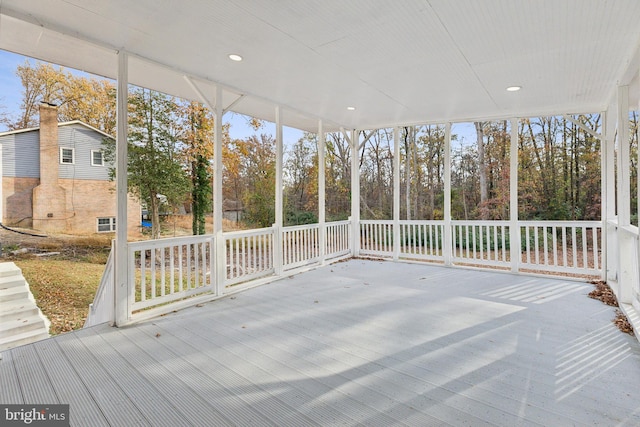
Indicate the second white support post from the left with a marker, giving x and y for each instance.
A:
(220, 265)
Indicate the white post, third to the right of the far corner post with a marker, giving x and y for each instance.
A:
(514, 227)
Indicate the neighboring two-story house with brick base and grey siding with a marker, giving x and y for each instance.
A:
(55, 179)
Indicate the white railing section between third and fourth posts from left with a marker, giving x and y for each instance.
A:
(300, 246)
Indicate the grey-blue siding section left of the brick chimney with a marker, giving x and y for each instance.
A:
(27, 163)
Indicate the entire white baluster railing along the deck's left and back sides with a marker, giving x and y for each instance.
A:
(168, 270)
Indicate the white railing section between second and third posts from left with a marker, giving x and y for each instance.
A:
(249, 255)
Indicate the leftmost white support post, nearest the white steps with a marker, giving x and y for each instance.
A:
(122, 303)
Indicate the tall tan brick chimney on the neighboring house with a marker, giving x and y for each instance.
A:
(49, 198)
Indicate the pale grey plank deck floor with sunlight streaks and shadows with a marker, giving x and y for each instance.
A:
(356, 343)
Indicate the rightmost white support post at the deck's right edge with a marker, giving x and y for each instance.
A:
(626, 250)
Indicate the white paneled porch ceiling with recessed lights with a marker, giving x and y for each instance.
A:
(398, 62)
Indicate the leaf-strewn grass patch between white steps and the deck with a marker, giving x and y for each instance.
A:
(63, 289)
